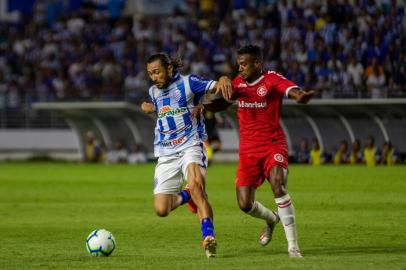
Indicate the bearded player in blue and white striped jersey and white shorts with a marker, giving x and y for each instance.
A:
(179, 137)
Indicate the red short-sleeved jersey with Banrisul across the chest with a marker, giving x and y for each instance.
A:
(259, 110)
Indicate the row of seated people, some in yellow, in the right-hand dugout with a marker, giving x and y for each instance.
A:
(370, 154)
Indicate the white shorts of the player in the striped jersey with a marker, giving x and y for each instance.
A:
(171, 171)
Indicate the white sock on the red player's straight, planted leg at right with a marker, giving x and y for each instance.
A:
(286, 213)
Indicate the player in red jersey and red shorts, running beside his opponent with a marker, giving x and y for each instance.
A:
(263, 151)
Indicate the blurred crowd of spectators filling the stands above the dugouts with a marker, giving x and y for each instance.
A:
(340, 48)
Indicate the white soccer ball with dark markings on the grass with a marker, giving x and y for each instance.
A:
(100, 243)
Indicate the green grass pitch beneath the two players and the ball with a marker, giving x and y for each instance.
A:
(347, 218)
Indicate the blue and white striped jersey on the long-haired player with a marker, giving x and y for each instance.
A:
(175, 130)
